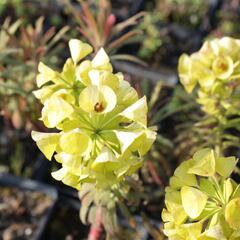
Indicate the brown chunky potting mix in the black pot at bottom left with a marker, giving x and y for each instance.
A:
(20, 212)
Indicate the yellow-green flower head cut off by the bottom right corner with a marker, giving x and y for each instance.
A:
(202, 202)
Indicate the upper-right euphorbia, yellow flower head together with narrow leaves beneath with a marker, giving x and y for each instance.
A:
(214, 72)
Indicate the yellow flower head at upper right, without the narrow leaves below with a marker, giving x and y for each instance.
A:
(216, 69)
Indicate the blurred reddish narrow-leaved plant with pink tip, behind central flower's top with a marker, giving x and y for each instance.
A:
(98, 25)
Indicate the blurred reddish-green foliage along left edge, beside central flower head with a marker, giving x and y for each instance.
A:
(21, 49)
